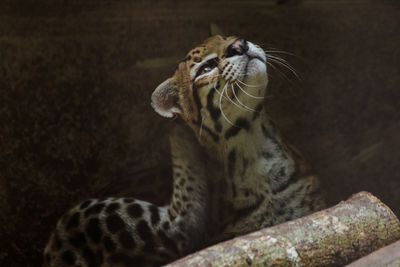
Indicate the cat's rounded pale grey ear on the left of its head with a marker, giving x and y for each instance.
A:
(165, 99)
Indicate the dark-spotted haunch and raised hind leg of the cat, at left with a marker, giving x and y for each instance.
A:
(130, 232)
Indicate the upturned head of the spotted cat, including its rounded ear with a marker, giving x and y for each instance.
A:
(217, 88)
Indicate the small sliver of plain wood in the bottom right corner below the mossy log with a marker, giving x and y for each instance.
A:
(386, 256)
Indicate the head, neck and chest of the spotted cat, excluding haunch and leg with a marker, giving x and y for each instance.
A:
(258, 179)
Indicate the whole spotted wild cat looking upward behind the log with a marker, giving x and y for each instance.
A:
(235, 176)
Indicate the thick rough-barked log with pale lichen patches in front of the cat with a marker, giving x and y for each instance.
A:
(331, 237)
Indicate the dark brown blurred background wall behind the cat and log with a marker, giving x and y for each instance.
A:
(76, 79)
